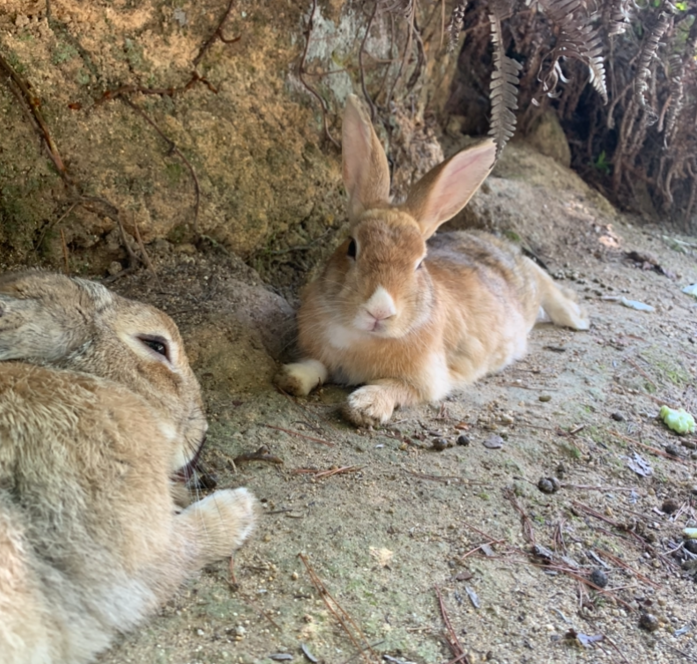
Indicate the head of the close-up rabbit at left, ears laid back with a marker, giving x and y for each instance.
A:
(53, 320)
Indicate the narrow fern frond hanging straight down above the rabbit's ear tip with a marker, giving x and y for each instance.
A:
(504, 90)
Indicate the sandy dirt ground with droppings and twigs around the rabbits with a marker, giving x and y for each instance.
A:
(398, 524)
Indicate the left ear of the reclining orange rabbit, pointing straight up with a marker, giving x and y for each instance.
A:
(365, 168)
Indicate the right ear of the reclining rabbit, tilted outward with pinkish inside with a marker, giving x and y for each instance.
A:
(445, 189)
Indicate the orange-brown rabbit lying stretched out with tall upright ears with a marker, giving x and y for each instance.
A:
(411, 320)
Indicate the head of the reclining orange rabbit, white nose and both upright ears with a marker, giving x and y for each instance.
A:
(378, 280)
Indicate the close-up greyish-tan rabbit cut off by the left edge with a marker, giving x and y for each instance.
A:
(98, 411)
